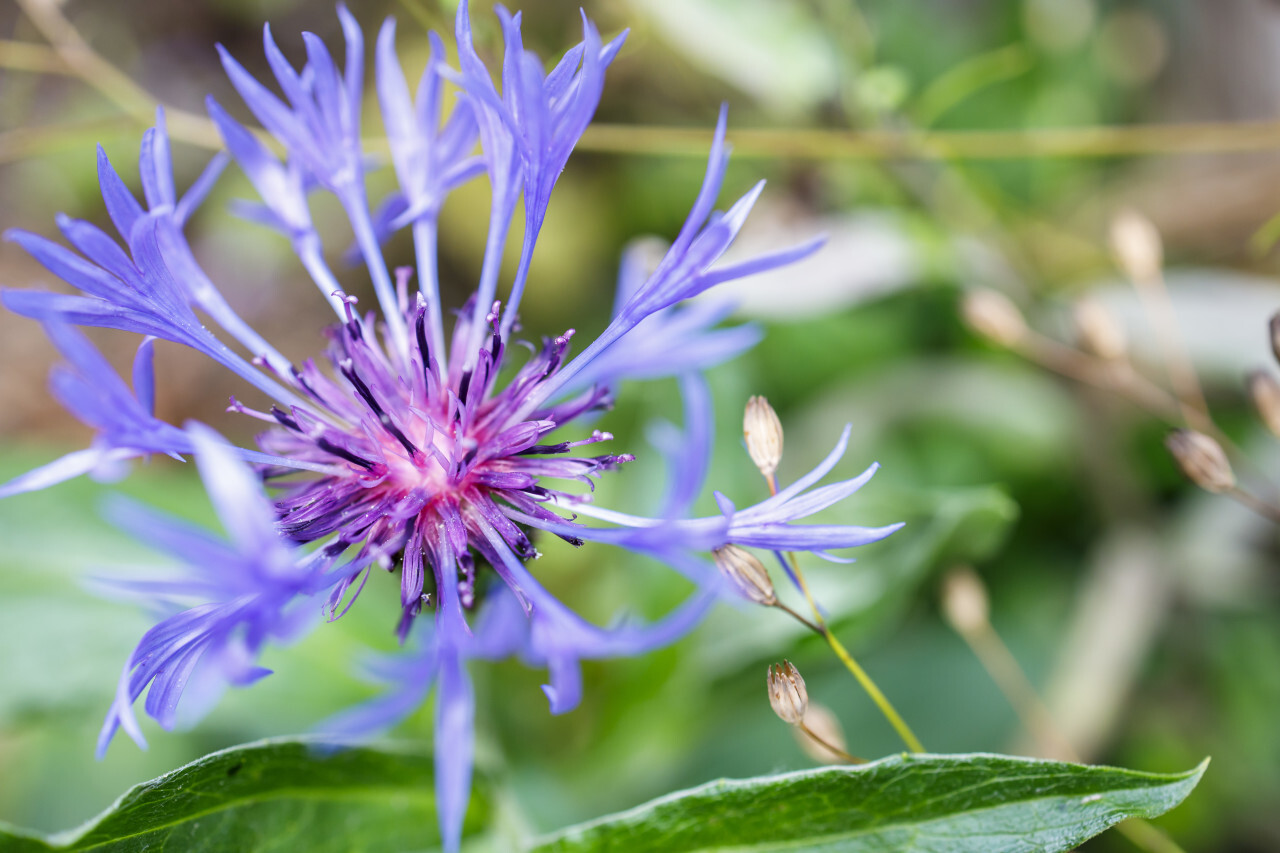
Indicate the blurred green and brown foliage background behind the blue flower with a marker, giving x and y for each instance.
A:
(1144, 610)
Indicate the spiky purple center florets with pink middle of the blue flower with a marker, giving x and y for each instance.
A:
(422, 457)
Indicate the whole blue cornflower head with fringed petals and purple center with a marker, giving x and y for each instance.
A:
(403, 449)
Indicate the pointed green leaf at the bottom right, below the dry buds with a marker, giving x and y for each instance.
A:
(904, 804)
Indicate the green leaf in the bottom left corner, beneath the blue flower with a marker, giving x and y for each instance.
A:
(272, 796)
